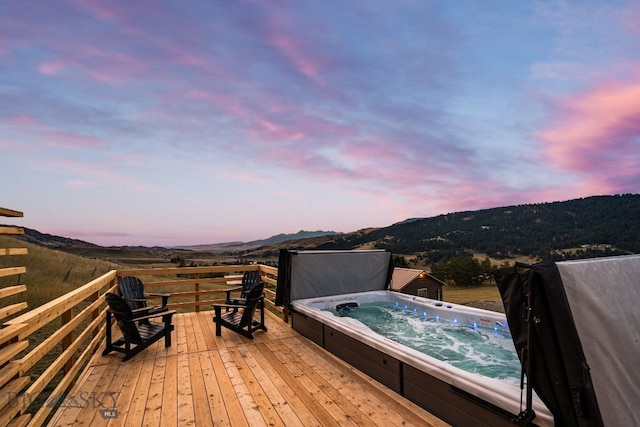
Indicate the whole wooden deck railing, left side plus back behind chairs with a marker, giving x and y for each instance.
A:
(67, 346)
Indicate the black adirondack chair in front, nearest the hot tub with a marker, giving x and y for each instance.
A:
(240, 318)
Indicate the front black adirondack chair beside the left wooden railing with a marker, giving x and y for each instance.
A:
(137, 334)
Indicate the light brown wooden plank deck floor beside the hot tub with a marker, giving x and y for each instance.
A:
(278, 379)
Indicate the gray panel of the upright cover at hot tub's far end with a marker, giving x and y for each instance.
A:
(322, 273)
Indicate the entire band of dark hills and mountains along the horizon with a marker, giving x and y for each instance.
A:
(606, 224)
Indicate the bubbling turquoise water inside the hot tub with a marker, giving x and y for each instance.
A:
(478, 350)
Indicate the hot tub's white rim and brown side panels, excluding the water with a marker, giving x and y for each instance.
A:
(456, 395)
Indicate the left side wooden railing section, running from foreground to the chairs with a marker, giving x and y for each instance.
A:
(81, 314)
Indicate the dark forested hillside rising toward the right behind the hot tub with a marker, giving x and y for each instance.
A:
(608, 224)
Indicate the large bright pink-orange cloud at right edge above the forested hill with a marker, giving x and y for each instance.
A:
(597, 133)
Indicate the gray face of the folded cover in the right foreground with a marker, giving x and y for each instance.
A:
(604, 297)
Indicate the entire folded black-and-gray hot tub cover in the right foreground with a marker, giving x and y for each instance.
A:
(586, 336)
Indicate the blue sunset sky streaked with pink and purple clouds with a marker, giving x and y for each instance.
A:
(194, 122)
